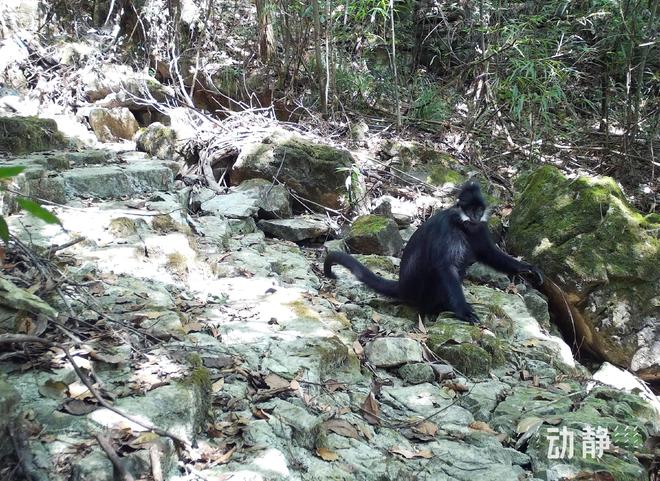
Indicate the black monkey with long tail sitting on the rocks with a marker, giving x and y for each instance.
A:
(436, 257)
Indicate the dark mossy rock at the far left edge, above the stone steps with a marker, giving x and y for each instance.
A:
(23, 135)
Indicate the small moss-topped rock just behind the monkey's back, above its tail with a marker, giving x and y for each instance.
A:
(374, 234)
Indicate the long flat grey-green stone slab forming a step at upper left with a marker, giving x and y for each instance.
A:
(115, 181)
